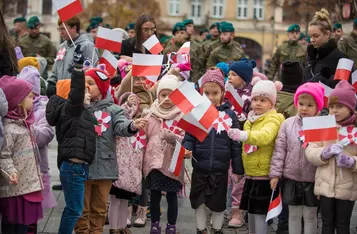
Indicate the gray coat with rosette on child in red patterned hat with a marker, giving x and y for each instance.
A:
(105, 165)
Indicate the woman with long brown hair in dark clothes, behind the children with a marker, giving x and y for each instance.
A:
(145, 27)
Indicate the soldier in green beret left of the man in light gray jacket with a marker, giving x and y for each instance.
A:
(35, 44)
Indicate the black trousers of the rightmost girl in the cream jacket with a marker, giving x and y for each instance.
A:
(336, 215)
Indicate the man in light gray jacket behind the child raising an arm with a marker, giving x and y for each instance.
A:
(63, 66)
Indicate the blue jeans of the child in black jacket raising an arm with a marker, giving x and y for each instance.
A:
(73, 176)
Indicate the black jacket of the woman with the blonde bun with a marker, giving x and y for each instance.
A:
(325, 57)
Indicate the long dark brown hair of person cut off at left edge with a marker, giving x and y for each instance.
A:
(7, 46)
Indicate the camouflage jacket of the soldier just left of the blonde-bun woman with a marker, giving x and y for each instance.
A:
(288, 51)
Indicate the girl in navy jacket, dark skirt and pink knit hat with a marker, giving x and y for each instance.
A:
(212, 159)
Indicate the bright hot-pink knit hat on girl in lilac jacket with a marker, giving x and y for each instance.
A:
(316, 90)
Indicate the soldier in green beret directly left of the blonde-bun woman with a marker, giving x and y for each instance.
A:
(290, 50)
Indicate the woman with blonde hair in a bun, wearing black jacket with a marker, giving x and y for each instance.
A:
(323, 54)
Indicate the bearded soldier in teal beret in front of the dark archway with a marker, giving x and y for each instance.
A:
(228, 50)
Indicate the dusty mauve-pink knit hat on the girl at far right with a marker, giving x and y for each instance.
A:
(344, 94)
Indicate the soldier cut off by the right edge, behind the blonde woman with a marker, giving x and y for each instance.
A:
(348, 44)
